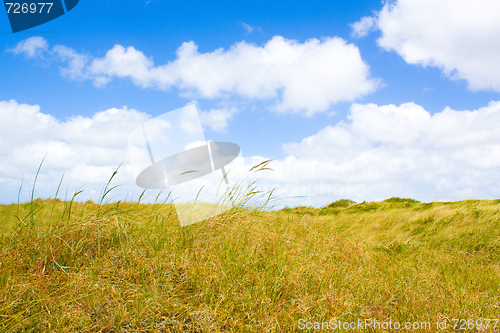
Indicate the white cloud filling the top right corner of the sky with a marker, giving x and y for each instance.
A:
(458, 36)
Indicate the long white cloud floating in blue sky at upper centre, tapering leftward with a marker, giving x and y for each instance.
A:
(308, 76)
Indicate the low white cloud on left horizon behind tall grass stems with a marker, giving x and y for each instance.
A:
(86, 150)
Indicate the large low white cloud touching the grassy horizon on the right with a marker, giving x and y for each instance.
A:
(388, 150)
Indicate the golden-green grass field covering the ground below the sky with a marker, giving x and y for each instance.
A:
(129, 267)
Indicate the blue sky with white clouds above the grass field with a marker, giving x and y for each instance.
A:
(363, 100)
